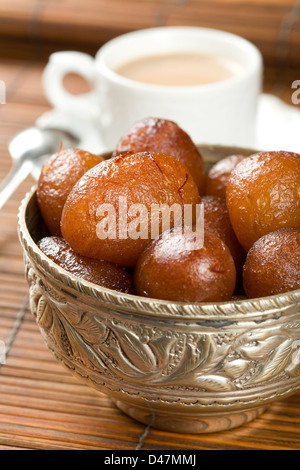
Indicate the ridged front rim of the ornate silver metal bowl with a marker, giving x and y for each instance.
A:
(240, 309)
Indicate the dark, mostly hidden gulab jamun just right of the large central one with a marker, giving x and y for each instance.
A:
(216, 219)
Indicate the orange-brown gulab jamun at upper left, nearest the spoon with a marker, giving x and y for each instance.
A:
(57, 178)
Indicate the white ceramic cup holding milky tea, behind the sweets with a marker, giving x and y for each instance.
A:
(217, 113)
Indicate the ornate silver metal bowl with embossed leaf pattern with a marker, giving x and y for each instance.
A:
(191, 367)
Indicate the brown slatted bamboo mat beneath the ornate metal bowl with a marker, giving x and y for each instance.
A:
(42, 406)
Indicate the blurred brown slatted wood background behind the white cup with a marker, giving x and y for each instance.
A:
(30, 30)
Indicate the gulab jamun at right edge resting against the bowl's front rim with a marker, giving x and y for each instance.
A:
(273, 264)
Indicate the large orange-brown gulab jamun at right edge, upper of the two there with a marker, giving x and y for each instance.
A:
(263, 195)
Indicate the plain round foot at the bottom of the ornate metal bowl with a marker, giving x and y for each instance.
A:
(200, 423)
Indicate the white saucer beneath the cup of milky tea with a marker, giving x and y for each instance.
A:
(277, 128)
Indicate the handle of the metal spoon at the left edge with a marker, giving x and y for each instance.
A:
(11, 182)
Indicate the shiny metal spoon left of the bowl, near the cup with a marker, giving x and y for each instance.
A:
(29, 150)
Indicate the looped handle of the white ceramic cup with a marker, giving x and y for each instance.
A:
(61, 64)
